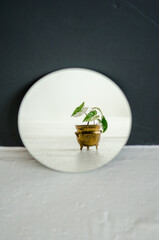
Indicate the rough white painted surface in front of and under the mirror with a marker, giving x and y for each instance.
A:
(119, 201)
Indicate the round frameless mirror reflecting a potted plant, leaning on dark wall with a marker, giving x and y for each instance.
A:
(74, 120)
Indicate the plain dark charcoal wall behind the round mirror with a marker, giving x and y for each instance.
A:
(117, 38)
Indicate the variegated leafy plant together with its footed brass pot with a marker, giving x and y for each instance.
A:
(89, 135)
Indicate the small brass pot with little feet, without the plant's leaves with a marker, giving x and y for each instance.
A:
(88, 135)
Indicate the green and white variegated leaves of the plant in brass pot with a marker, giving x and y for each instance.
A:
(92, 116)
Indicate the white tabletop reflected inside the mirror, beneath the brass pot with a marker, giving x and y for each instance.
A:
(64, 154)
